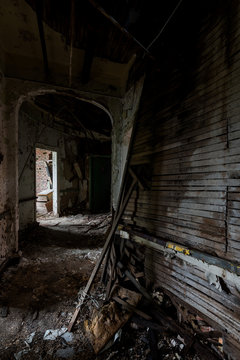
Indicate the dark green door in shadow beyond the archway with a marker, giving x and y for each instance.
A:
(100, 183)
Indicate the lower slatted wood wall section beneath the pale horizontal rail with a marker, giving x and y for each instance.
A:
(192, 287)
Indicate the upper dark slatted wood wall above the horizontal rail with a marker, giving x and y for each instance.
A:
(189, 140)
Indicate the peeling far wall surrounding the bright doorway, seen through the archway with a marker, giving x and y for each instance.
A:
(37, 129)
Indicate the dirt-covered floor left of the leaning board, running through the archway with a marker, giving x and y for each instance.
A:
(40, 292)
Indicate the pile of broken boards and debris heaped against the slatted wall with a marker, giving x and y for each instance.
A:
(170, 331)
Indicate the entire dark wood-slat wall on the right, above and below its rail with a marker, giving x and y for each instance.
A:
(186, 152)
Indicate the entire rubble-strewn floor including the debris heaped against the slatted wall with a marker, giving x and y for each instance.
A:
(40, 293)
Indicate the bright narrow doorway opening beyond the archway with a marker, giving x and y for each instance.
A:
(46, 182)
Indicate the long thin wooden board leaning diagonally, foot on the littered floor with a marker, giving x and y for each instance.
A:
(105, 248)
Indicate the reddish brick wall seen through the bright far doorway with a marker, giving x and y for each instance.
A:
(42, 178)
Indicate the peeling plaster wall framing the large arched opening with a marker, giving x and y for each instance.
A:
(13, 93)
